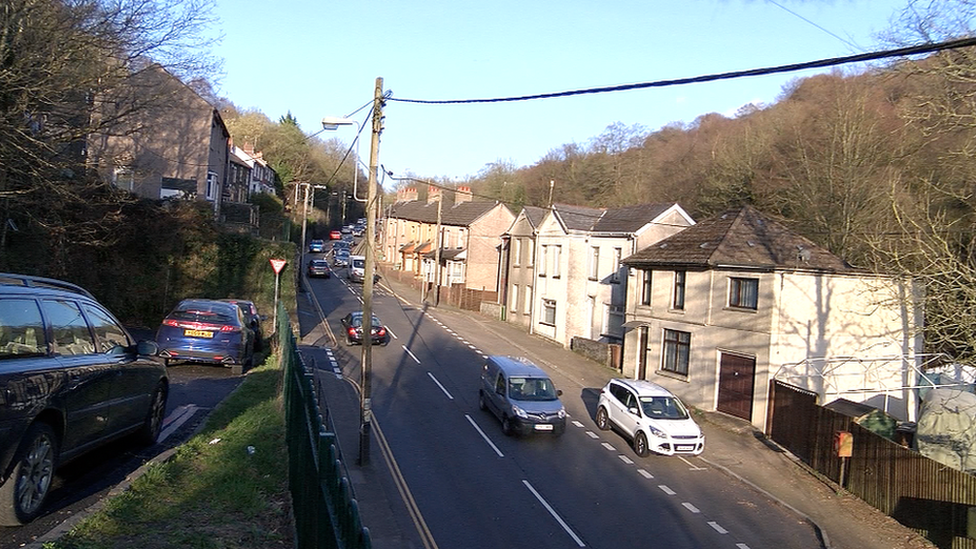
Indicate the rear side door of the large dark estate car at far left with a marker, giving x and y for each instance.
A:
(87, 397)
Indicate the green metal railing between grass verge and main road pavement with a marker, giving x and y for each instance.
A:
(323, 502)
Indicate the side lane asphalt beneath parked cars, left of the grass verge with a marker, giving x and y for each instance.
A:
(194, 390)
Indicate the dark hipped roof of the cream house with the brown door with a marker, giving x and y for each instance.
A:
(738, 238)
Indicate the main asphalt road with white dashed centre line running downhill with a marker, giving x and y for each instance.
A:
(477, 488)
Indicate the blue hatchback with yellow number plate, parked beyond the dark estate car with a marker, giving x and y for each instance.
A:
(208, 331)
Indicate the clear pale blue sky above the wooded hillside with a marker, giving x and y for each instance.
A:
(319, 59)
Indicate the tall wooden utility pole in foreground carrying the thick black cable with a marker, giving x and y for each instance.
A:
(365, 409)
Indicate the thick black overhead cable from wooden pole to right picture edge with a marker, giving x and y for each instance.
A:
(834, 61)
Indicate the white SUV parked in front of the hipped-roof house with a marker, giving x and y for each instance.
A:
(653, 418)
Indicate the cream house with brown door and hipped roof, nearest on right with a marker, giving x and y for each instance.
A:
(719, 310)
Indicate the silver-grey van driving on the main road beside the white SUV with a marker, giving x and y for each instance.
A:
(522, 396)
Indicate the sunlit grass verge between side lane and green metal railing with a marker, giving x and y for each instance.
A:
(214, 493)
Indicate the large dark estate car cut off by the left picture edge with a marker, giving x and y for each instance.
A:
(71, 379)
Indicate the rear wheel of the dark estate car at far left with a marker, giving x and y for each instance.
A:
(22, 495)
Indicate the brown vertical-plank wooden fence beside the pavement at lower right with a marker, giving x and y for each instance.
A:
(934, 500)
